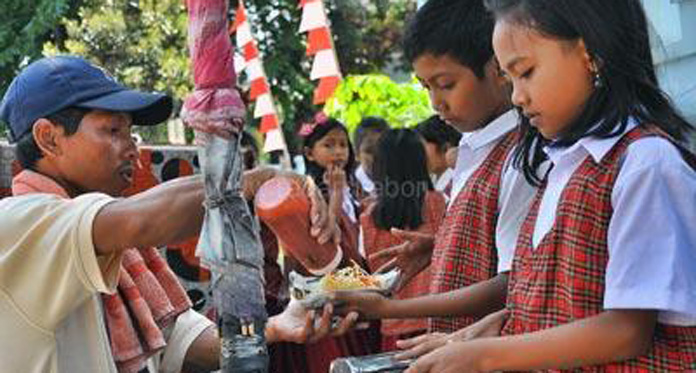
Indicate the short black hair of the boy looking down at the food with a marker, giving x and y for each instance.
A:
(461, 29)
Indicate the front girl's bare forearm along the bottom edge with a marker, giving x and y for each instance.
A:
(610, 336)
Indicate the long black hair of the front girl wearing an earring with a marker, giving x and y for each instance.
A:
(615, 34)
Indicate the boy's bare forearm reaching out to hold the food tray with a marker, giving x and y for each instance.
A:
(476, 300)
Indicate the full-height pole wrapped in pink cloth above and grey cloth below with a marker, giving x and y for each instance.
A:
(229, 243)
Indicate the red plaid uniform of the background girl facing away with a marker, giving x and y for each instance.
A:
(376, 240)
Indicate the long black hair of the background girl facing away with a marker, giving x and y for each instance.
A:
(401, 180)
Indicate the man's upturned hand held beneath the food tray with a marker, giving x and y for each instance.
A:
(299, 325)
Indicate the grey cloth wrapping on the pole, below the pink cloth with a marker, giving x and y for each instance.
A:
(230, 246)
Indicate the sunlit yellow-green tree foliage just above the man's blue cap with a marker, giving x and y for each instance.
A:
(142, 43)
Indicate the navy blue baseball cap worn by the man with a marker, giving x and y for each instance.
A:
(52, 84)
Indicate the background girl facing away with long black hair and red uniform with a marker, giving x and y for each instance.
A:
(403, 199)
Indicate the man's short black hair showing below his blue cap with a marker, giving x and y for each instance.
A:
(28, 152)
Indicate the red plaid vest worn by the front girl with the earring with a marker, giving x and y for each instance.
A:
(562, 280)
